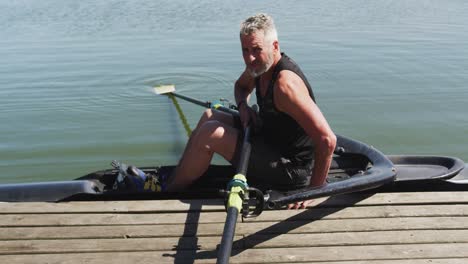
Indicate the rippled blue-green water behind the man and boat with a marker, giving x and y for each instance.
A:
(76, 76)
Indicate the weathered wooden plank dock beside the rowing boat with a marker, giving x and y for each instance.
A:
(387, 228)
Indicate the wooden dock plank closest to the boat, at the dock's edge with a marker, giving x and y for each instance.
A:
(217, 204)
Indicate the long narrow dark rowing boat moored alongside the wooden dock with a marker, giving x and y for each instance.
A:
(356, 167)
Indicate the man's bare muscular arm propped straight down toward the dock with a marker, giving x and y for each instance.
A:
(292, 97)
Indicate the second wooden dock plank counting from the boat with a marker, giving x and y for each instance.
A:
(361, 212)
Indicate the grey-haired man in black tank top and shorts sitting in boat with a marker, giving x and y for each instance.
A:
(294, 145)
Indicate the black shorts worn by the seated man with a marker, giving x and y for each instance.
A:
(269, 169)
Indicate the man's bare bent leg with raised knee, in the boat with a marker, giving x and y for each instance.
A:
(213, 134)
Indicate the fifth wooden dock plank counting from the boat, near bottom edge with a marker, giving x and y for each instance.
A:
(288, 255)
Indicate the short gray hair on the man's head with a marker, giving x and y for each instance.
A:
(259, 22)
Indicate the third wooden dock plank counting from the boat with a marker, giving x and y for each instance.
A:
(207, 229)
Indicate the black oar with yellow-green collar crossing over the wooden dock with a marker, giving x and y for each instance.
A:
(238, 190)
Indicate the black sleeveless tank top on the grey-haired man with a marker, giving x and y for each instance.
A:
(278, 128)
